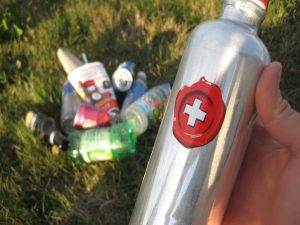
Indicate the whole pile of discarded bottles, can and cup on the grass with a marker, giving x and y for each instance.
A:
(100, 117)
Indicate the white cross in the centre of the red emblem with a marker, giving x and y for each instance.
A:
(194, 112)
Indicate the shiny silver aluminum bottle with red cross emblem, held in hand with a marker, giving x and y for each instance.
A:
(208, 121)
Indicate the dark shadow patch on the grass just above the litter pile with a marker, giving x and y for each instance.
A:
(126, 42)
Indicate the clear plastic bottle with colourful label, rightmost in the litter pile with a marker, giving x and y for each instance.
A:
(148, 109)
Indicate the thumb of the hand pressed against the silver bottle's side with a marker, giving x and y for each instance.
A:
(280, 120)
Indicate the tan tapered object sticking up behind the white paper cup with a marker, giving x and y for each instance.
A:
(68, 60)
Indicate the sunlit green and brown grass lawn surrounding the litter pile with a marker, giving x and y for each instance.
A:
(37, 187)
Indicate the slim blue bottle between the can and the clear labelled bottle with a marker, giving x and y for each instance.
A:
(137, 90)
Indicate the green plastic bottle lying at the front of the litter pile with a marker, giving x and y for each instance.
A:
(111, 143)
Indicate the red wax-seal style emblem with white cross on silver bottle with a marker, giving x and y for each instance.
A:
(199, 113)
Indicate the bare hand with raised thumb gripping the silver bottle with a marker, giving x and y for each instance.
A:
(267, 190)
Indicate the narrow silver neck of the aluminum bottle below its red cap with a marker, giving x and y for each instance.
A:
(247, 12)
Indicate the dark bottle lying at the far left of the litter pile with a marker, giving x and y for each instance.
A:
(45, 127)
